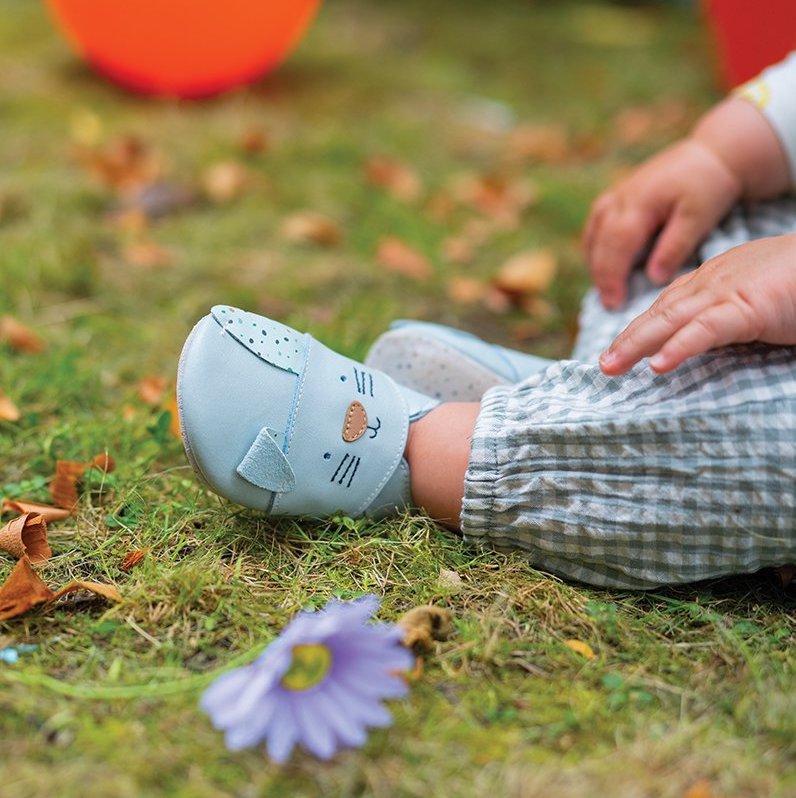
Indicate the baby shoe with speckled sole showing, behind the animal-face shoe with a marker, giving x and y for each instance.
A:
(448, 364)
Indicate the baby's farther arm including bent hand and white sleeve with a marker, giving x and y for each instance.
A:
(744, 148)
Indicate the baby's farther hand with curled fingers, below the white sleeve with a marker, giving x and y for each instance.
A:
(683, 192)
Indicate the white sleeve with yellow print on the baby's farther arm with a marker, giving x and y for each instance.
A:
(774, 93)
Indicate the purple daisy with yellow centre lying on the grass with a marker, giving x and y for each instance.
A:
(320, 684)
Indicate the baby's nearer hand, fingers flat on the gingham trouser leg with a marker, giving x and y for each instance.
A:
(746, 294)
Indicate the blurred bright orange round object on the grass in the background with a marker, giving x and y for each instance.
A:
(183, 48)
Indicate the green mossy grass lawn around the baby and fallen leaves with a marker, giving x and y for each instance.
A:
(687, 685)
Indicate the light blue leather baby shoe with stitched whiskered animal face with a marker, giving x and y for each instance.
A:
(273, 420)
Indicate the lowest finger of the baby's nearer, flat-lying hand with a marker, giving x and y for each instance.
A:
(716, 326)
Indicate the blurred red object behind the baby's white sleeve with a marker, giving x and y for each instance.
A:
(751, 35)
